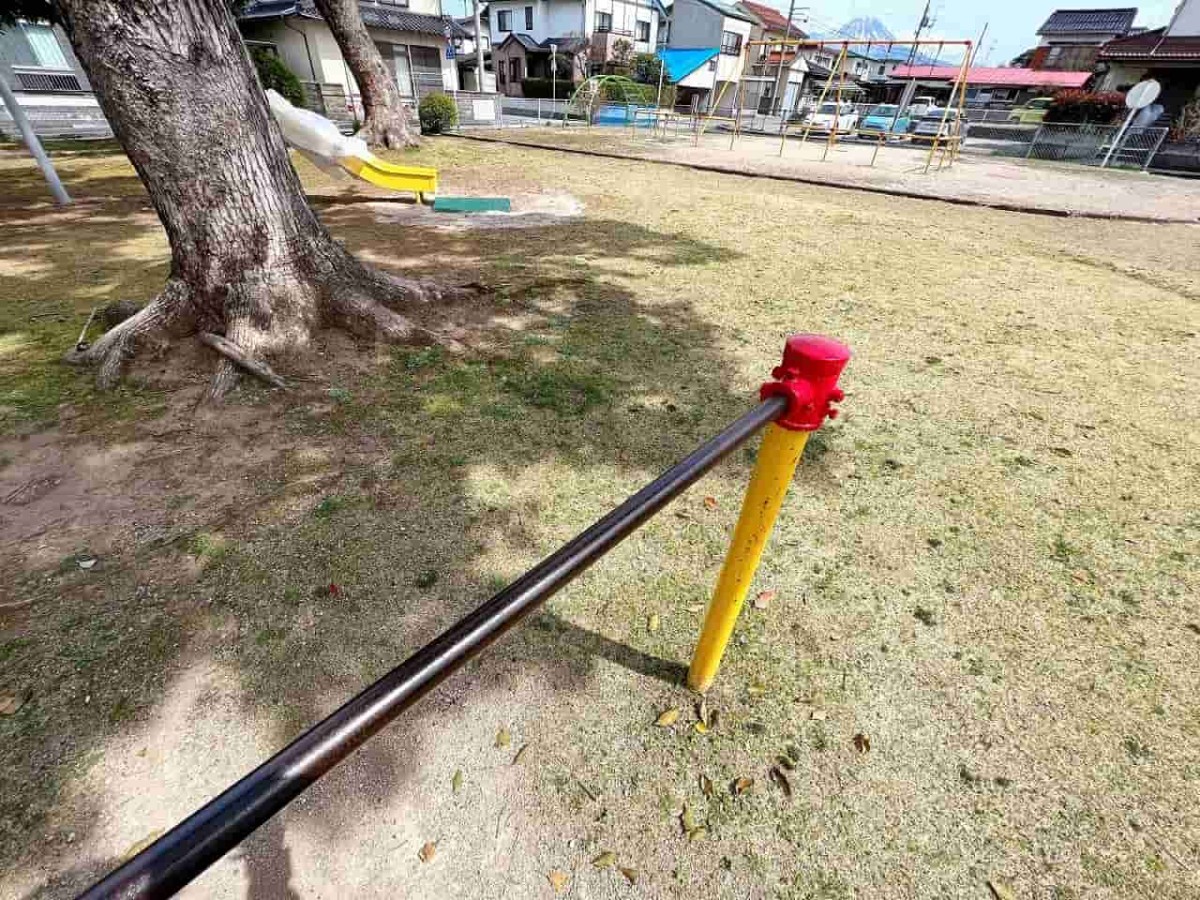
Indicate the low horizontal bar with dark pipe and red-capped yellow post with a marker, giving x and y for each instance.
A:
(796, 401)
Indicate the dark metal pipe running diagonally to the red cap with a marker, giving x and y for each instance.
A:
(218, 827)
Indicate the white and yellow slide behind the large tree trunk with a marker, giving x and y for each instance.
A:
(321, 141)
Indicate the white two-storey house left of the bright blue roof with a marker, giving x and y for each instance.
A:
(586, 33)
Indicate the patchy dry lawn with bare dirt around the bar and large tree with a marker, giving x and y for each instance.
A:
(979, 674)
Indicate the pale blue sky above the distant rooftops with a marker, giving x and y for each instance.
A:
(1012, 25)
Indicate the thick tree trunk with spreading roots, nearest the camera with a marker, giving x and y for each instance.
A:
(250, 260)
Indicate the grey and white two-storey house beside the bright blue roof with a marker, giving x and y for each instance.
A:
(711, 26)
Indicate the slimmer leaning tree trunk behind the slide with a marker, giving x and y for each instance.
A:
(386, 123)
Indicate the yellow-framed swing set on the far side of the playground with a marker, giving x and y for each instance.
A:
(946, 143)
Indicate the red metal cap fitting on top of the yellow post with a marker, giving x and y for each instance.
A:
(808, 377)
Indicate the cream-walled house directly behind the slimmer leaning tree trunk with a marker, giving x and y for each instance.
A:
(415, 39)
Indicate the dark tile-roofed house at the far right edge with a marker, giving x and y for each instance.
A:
(1171, 56)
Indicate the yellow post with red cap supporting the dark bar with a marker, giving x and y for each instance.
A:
(808, 377)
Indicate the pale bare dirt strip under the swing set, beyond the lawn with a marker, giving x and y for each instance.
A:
(902, 169)
